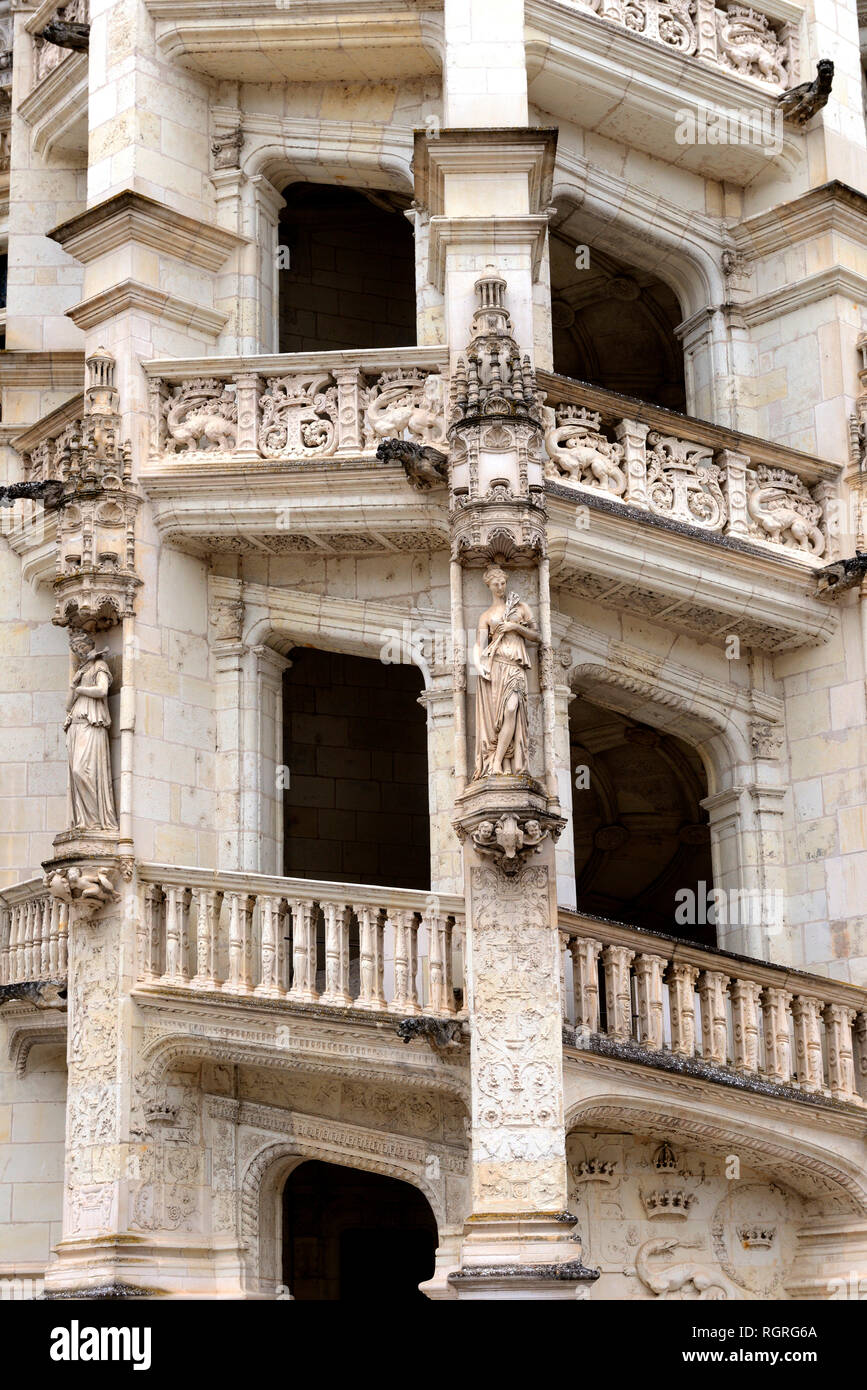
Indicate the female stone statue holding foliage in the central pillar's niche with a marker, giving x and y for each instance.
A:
(502, 726)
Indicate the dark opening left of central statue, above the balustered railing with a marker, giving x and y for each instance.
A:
(356, 801)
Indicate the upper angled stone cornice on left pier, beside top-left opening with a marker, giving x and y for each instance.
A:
(131, 218)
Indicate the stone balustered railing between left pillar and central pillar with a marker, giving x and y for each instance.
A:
(341, 945)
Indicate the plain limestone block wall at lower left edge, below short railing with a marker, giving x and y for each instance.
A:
(33, 1120)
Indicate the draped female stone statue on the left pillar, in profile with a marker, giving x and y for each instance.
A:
(87, 726)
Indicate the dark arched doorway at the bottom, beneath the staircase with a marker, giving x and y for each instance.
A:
(351, 1236)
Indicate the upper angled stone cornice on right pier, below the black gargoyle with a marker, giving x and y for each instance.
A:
(830, 208)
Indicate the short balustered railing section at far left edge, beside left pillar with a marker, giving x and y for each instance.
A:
(34, 933)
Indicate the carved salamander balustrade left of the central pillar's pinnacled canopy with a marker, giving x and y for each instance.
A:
(299, 407)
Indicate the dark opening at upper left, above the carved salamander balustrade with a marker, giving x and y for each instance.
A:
(347, 270)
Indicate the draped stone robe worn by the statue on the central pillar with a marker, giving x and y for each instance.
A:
(508, 661)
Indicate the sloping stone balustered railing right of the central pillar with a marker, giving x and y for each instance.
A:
(657, 999)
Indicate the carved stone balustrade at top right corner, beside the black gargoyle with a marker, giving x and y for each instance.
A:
(734, 37)
